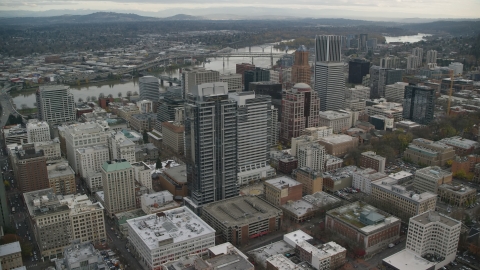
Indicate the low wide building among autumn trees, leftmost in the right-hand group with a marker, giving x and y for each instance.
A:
(430, 153)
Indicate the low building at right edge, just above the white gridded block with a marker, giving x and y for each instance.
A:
(457, 195)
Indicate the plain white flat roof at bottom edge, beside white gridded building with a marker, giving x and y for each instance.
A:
(407, 260)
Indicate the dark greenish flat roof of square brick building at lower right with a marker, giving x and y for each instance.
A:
(350, 214)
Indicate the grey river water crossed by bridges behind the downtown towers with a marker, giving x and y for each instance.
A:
(88, 90)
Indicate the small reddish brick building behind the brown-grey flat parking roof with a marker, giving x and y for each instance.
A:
(280, 190)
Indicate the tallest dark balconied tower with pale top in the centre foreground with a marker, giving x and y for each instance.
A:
(211, 145)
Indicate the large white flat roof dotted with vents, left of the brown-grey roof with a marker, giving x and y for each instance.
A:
(177, 225)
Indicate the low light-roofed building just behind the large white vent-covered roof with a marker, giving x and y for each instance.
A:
(158, 202)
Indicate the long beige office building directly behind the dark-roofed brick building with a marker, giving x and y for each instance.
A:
(394, 192)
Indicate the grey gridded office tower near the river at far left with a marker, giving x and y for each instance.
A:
(55, 104)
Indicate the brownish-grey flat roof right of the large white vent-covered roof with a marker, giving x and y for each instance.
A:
(241, 210)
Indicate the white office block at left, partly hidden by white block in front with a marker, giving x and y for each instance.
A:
(81, 136)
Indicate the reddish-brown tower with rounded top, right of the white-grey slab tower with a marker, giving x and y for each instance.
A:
(300, 108)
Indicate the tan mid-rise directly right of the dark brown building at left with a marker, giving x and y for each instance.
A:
(61, 178)
